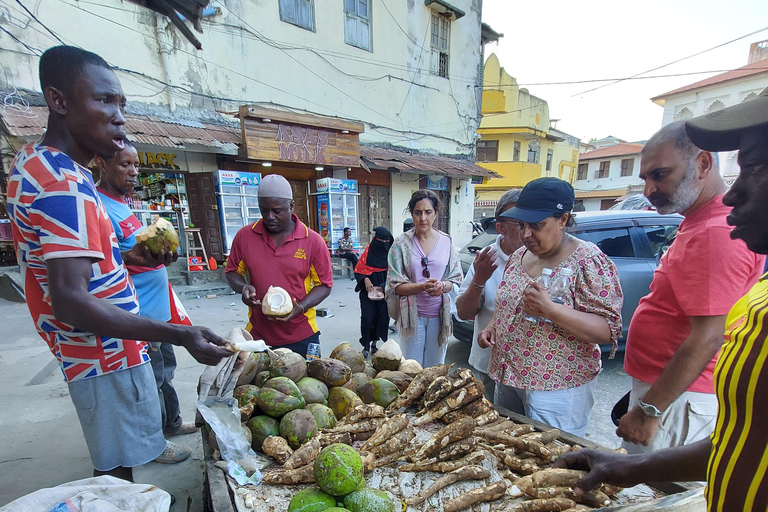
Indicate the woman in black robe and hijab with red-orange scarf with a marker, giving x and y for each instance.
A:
(371, 276)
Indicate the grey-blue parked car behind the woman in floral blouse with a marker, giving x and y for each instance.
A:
(634, 239)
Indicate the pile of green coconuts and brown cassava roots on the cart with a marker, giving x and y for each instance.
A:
(332, 420)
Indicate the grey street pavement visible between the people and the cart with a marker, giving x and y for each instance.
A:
(41, 443)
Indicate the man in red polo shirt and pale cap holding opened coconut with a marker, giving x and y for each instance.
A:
(279, 250)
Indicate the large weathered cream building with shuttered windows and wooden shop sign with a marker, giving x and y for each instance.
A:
(403, 78)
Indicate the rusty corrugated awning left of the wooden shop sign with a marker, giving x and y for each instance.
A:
(30, 123)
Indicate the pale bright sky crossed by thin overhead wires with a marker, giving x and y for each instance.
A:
(566, 40)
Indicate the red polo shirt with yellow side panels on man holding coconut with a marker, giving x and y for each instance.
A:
(297, 265)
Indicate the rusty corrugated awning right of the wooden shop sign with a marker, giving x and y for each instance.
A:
(395, 160)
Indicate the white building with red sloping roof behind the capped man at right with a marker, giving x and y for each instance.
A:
(717, 92)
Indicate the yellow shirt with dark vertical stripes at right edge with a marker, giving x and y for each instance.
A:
(736, 473)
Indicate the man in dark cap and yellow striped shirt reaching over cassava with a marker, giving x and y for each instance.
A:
(735, 459)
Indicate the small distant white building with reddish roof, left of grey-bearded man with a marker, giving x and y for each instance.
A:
(607, 174)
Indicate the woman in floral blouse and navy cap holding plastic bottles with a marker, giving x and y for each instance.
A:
(547, 369)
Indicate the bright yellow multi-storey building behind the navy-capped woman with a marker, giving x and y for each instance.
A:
(516, 140)
